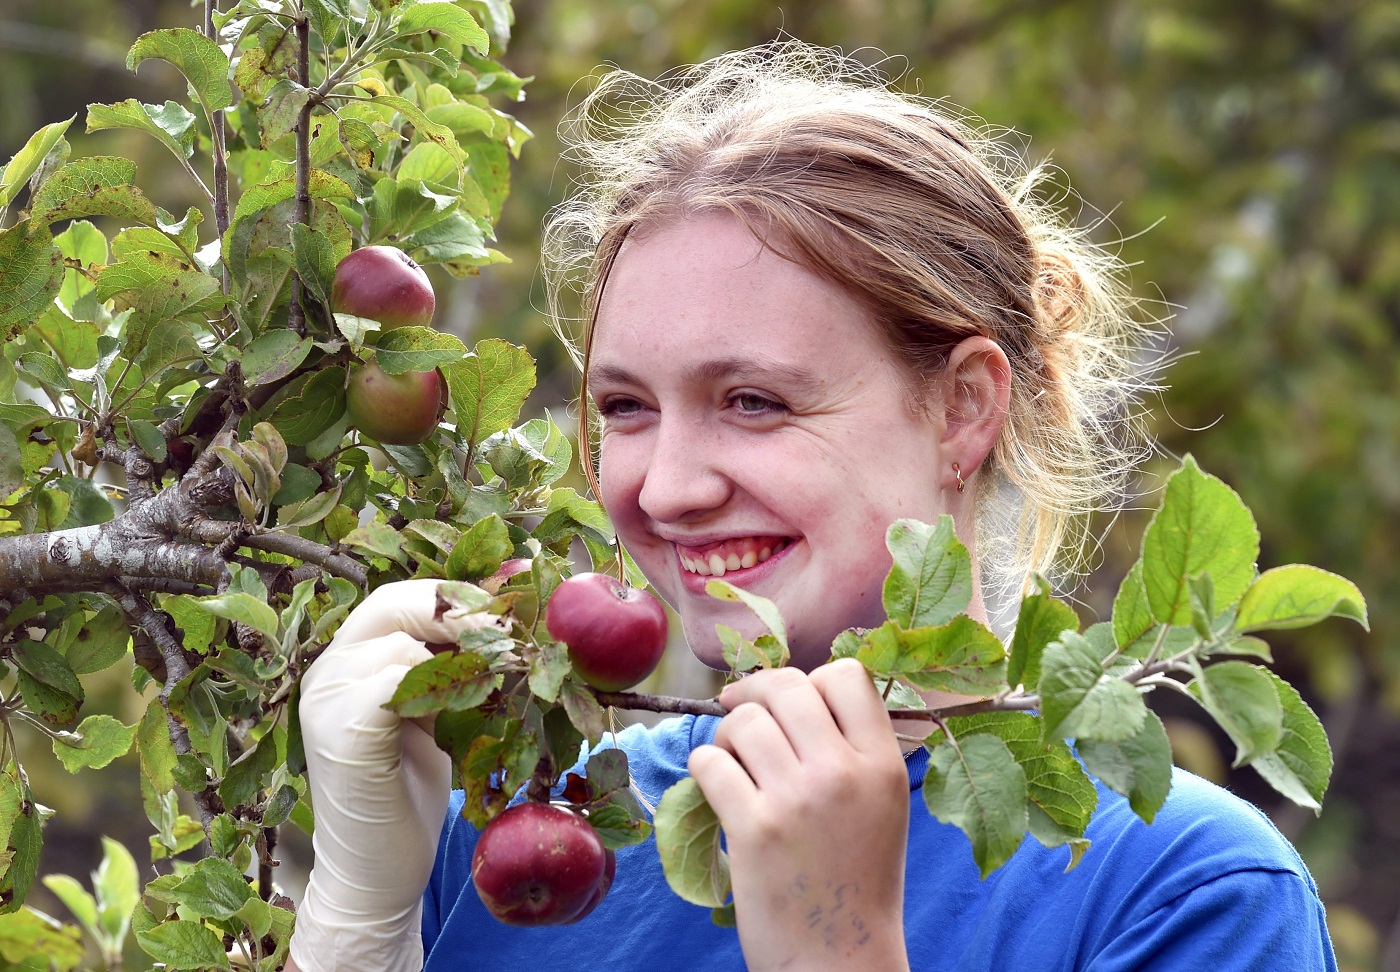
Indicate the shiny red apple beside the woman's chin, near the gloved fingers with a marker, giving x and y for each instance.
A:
(615, 634)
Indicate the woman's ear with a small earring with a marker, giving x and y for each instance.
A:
(976, 396)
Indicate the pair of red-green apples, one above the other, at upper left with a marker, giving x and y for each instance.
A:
(383, 284)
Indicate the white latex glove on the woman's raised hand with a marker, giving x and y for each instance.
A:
(379, 788)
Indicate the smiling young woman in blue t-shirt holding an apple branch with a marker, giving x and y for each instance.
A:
(815, 306)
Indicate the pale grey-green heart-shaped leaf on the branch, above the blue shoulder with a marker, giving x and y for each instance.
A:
(1080, 700)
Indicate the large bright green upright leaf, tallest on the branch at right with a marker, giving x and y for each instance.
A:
(1203, 526)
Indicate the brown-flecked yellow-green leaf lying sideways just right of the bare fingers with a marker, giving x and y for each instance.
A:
(962, 656)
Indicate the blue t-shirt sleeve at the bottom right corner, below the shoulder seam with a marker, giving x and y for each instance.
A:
(1251, 921)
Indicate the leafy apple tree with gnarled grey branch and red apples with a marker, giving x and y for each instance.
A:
(197, 467)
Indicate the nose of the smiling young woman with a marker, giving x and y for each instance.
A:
(685, 475)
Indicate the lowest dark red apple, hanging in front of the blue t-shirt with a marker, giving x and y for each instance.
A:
(538, 865)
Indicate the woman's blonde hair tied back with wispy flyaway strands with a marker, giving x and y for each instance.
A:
(932, 225)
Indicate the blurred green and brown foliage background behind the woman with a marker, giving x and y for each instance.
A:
(1247, 153)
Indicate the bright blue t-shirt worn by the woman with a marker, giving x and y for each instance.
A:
(1209, 886)
